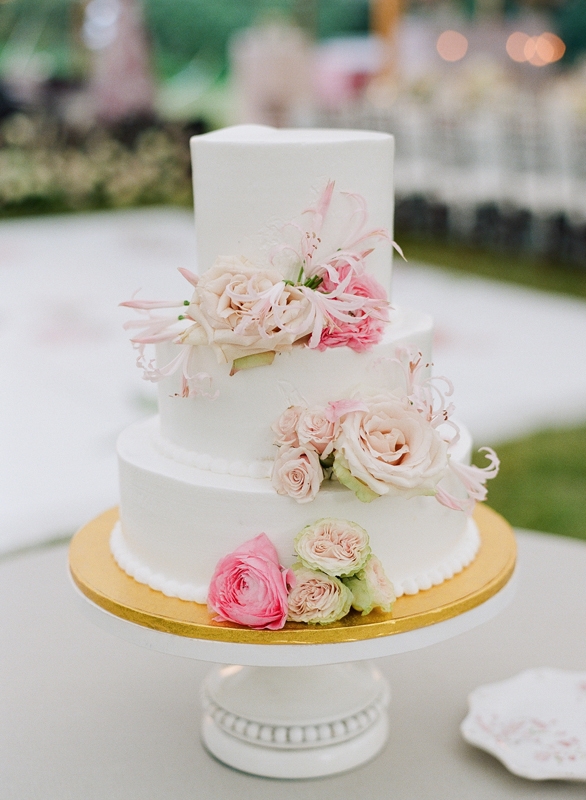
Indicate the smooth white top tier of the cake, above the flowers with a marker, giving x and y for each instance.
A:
(250, 181)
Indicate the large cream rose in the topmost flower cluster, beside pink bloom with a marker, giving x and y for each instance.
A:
(240, 311)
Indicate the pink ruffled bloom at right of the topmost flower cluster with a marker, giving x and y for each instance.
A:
(369, 327)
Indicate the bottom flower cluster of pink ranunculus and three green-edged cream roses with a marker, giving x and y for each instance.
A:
(335, 572)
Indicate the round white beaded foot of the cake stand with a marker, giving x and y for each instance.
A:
(295, 722)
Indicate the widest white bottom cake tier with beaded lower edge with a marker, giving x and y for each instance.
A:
(178, 521)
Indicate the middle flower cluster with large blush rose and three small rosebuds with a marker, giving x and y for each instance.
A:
(386, 443)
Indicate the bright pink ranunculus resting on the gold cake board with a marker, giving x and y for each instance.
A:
(249, 586)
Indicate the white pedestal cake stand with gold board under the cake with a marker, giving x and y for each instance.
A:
(302, 702)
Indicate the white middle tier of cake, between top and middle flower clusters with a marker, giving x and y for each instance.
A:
(228, 422)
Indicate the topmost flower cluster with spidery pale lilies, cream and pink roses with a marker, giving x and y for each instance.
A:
(248, 314)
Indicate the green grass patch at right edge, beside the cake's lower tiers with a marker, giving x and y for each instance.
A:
(541, 484)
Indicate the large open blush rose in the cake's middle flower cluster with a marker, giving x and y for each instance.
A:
(391, 448)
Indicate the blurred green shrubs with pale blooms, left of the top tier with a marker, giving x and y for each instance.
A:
(44, 170)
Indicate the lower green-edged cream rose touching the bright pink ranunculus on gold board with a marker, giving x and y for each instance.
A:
(317, 597)
